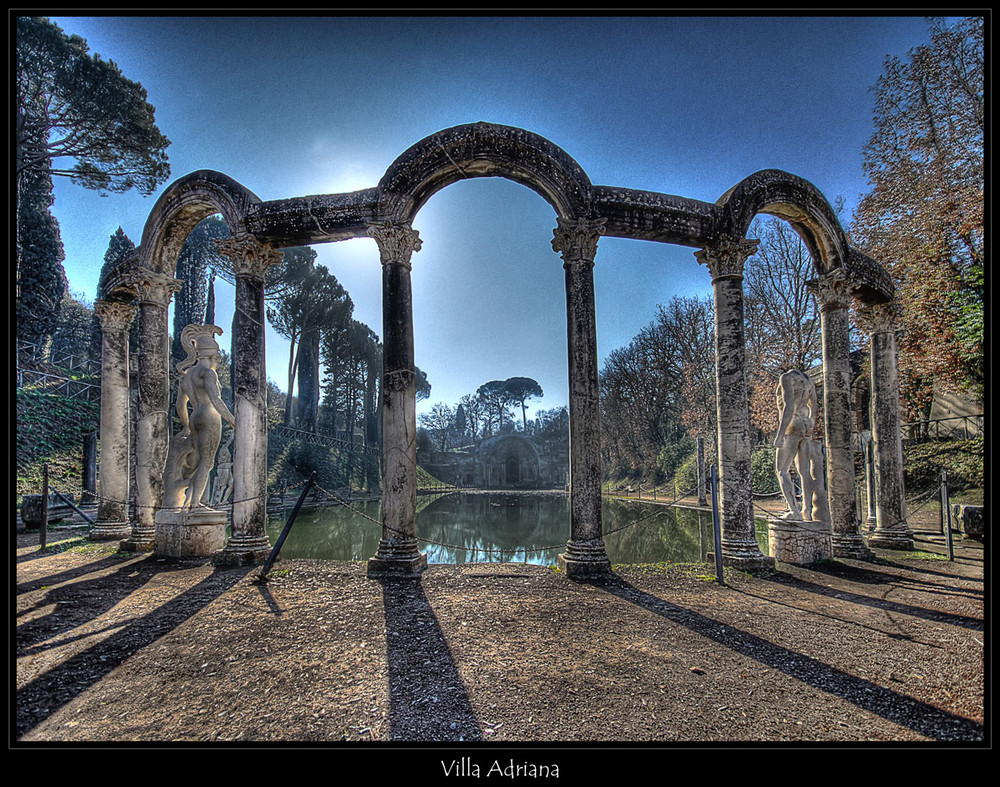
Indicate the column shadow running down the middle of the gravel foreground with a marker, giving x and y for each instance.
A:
(427, 699)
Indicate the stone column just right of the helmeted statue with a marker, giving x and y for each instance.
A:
(249, 544)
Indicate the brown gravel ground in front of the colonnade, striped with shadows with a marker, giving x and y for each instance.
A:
(120, 649)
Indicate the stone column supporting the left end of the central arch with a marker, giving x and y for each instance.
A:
(398, 552)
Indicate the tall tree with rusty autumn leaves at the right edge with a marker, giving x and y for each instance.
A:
(923, 218)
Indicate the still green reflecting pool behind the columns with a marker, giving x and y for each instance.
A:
(503, 528)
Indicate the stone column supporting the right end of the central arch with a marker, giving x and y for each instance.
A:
(576, 240)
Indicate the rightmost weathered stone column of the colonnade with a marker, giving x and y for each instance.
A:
(891, 528)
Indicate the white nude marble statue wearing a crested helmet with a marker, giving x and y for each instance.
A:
(192, 450)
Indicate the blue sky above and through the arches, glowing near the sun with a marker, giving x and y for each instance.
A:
(290, 106)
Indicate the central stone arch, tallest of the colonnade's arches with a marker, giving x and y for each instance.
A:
(483, 150)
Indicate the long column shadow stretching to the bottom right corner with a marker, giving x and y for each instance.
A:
(897, 708)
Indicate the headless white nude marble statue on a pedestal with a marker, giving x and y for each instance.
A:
(796, 400)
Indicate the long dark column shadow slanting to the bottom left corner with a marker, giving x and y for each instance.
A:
(42, 697)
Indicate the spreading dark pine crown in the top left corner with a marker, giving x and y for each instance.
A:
(71, 104)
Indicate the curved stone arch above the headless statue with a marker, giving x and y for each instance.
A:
(793, 199)
